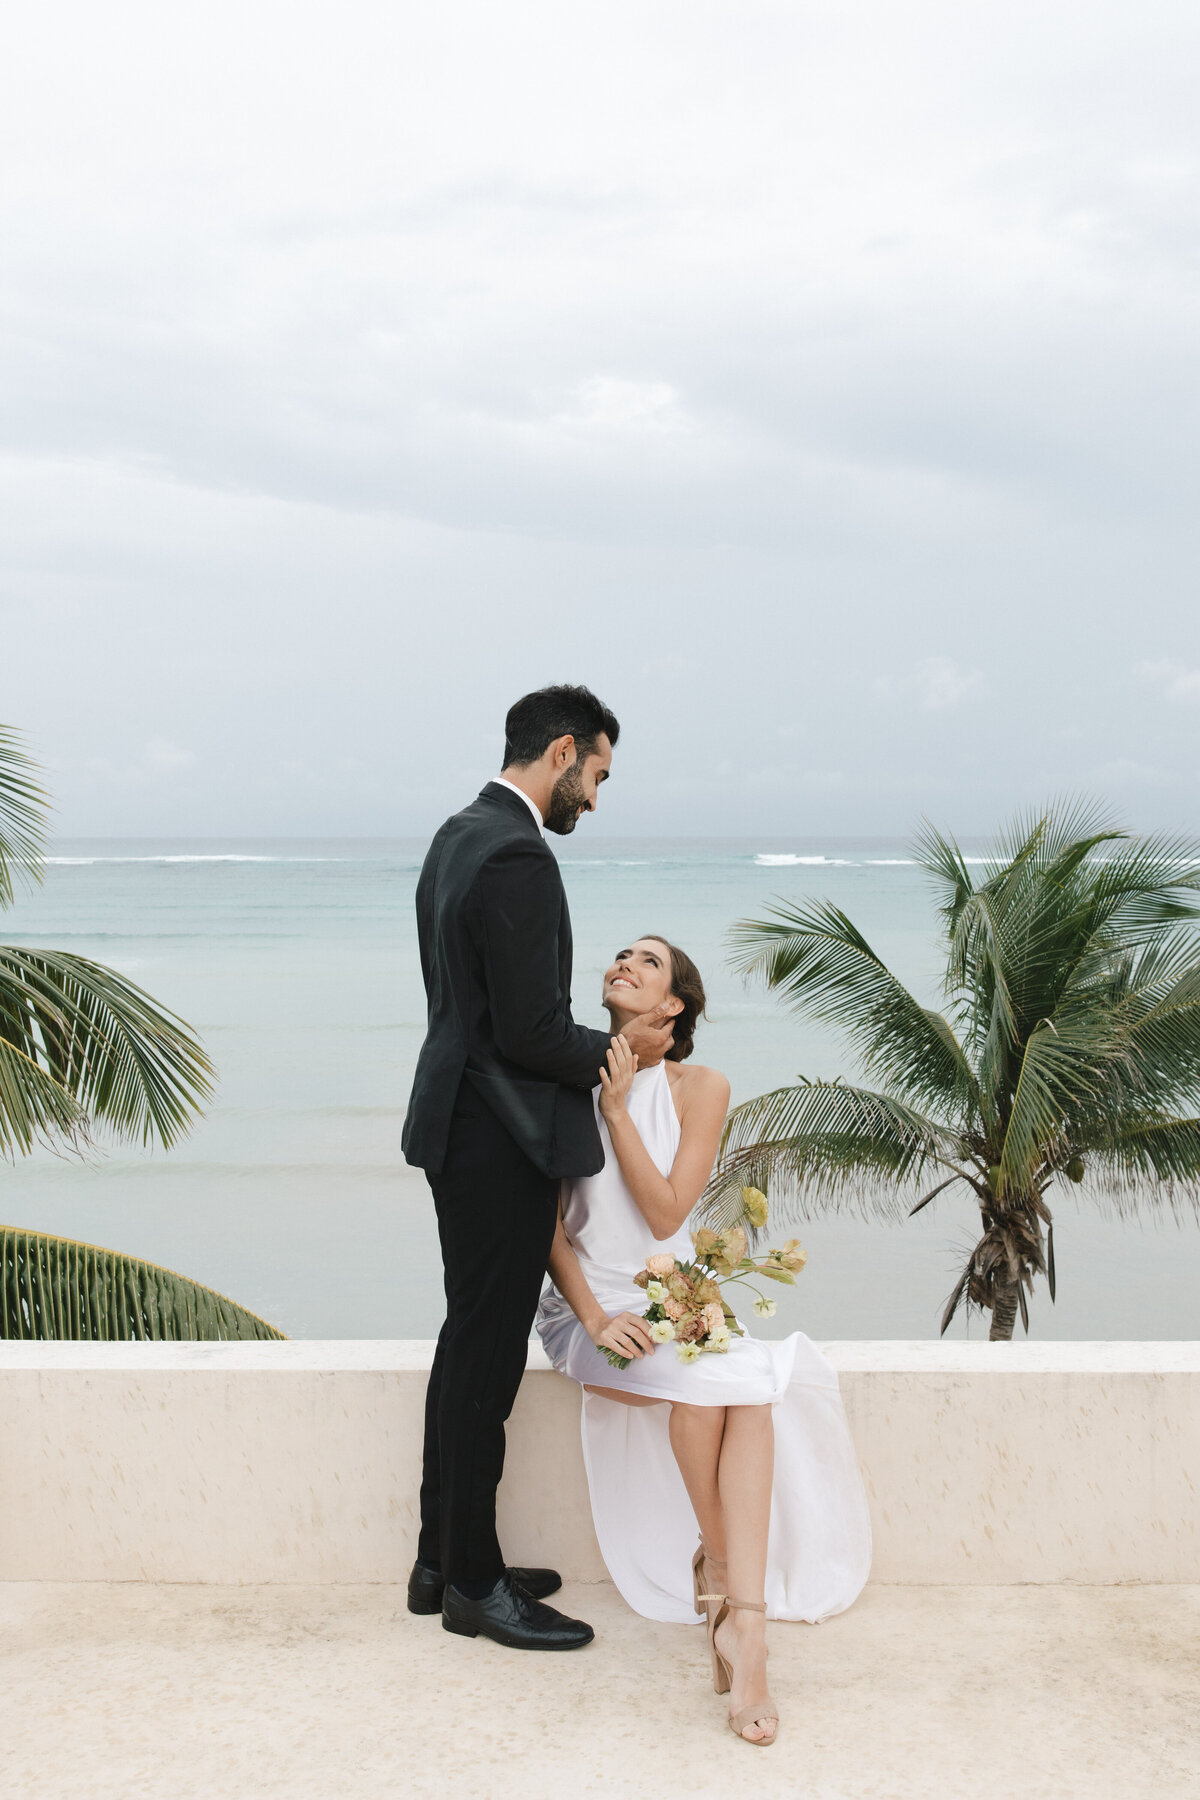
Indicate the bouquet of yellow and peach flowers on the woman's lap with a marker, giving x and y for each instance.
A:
(686, 1302)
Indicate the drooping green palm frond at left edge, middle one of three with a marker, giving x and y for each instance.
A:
(112, 1052)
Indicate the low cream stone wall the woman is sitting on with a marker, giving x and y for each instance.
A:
(300, 1462)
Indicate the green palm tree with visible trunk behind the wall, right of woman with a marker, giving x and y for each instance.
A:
(1070, 1048)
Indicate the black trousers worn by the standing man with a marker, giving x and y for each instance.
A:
(496, 1219)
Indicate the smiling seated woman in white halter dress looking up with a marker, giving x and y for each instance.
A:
(751, 1444)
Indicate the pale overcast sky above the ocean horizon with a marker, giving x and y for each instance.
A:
(816, 381)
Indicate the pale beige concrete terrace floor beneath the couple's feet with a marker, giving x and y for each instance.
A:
(161, 1693)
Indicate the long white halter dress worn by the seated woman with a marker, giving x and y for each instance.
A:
(819, 1549)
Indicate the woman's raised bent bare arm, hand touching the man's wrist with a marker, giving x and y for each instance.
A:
(665, 1201)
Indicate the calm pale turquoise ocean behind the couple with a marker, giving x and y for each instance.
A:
(298, 964)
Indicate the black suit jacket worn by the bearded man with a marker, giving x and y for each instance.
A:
(496, 953)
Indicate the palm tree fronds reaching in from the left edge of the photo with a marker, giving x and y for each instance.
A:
(84, 1048)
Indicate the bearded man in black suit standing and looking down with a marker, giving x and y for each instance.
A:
(501, 1110)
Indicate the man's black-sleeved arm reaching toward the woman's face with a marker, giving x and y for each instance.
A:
(521, 901)
